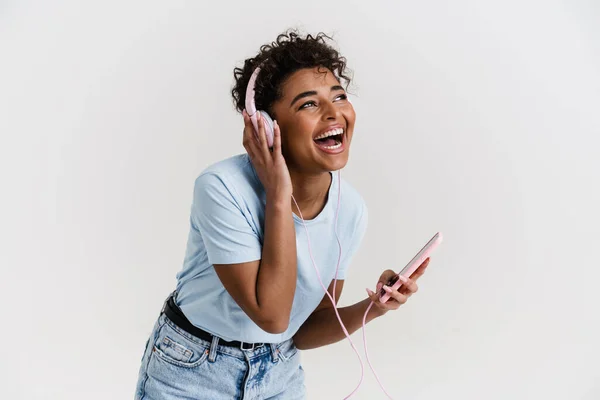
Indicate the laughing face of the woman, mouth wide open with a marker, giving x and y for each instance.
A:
(316, 121)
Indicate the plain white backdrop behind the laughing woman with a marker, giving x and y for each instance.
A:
(478, 119)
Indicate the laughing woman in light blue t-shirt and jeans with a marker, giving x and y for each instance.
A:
(248, 296)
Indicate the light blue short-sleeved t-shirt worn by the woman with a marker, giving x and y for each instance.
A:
(226, 227)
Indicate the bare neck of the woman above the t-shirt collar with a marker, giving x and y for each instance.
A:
(310, 192)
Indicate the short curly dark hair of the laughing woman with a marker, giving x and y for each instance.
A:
(288, 54)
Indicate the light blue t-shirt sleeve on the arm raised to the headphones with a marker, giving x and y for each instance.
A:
(225, 229)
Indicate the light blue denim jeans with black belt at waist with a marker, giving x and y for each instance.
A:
(177, 366)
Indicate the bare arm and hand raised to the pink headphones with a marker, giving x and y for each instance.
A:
(265, 289)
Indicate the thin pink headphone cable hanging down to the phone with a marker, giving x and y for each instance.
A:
(333, 302)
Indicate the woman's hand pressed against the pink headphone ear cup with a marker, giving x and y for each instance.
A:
(270, 166)
